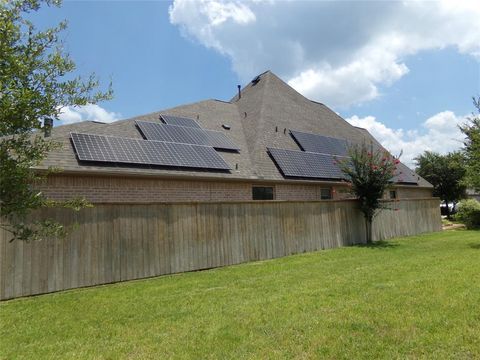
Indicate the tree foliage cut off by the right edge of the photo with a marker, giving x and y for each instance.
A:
(472, 146)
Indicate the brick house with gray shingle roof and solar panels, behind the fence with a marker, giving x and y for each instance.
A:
(267, 143)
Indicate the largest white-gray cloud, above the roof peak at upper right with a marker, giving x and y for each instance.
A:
(340, 52)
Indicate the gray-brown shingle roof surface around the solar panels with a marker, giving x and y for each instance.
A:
(261, 118)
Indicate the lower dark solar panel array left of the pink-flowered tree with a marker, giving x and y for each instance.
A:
(302, 164)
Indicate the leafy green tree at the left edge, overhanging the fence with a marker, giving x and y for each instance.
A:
(36, 82)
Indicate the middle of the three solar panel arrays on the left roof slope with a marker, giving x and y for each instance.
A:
(185, 135)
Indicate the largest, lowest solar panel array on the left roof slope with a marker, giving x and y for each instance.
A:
(136, 151)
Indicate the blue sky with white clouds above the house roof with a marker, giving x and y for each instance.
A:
(406, 71)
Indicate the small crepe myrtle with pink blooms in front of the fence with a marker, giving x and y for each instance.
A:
(369, 171)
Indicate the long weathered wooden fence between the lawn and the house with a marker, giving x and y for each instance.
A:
(118, 242)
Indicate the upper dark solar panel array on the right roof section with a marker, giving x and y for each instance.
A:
(320, 144)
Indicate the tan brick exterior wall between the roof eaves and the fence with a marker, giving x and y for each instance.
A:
(117, 189)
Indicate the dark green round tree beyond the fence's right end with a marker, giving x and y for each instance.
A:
(446, 173)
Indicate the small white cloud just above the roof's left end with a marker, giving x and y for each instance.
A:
(94, 112)
